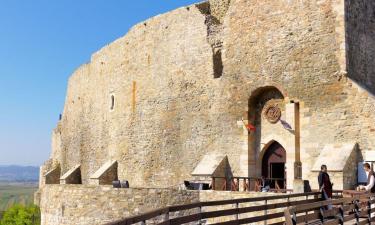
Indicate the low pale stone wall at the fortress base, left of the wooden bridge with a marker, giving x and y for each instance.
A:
(96, 205)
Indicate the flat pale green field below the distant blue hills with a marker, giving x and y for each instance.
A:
(11, 194)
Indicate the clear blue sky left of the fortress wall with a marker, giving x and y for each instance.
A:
(41, 43)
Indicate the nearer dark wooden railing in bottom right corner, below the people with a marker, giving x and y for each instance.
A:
(357, 210)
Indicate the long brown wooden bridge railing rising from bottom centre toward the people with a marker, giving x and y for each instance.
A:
(269, 209)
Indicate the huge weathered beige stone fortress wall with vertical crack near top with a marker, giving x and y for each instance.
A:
(176, 86)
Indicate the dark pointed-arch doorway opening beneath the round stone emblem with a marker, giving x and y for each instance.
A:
(273, 165)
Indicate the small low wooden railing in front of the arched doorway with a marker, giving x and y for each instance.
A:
(248, 184)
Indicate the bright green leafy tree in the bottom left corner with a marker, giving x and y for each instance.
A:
(21, 215)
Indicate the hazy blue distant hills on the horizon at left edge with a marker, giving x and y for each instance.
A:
(19, 173)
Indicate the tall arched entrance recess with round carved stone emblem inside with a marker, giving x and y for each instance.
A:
(266, 107)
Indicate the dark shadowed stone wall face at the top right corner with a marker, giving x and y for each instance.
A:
(360, 42)
